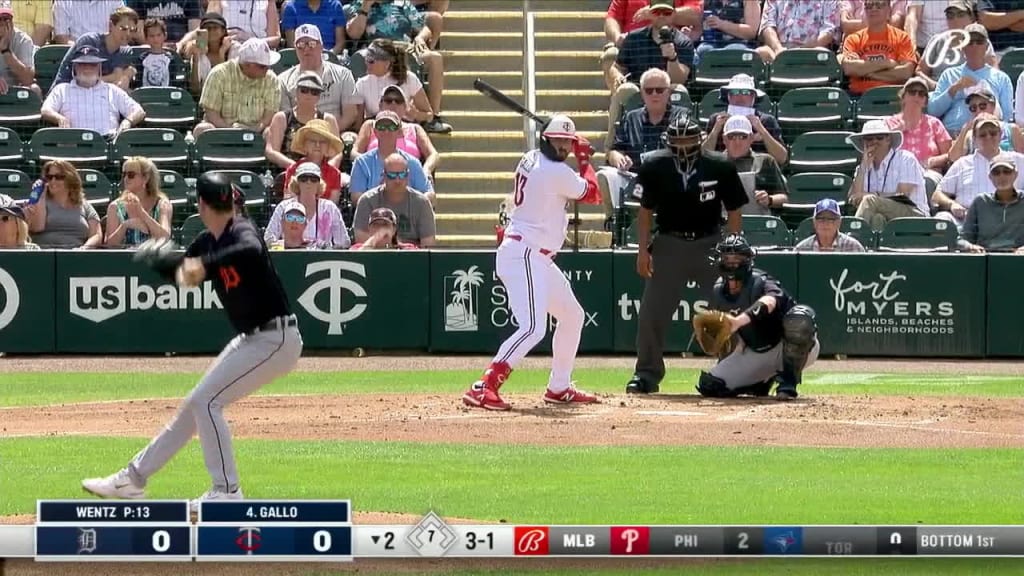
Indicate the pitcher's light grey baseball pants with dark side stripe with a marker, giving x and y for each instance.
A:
(246, 364)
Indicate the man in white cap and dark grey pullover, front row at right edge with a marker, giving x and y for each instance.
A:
(995, 222)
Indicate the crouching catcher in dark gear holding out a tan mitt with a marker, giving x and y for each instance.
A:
(755, 328)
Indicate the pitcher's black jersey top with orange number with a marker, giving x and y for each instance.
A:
(240, 268)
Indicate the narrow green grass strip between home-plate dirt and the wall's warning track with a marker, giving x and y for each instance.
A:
(41, 389)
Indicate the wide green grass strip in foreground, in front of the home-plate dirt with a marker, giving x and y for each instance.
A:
(608, 485)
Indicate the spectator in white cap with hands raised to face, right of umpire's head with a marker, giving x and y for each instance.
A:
(743, 96)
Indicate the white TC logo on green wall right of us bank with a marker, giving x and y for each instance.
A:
(336, 282)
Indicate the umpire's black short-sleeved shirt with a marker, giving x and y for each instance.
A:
(689, 203)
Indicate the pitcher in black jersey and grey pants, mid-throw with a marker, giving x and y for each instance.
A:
(232, 255)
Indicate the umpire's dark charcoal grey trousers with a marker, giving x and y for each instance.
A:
(677, 263)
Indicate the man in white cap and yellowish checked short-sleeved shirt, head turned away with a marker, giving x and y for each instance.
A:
(242, 93)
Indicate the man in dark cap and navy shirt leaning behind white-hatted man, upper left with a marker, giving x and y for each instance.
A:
(113, 48)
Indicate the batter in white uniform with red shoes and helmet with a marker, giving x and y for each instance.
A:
(525, 263)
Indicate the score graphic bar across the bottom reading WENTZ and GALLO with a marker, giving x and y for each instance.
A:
(323, 531)
